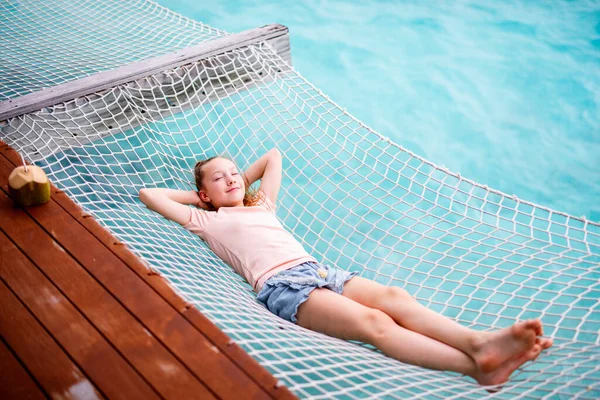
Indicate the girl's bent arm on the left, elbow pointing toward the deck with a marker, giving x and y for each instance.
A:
(170, 203)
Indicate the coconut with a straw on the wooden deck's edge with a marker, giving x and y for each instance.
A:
(28, 187)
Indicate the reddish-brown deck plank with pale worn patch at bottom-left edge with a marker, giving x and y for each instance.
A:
(58, 375)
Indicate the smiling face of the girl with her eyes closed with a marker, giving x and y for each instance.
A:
(223, 185)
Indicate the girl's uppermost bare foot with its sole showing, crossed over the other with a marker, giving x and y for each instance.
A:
(491, 350)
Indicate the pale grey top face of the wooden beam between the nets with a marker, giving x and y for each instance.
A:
(141, 69)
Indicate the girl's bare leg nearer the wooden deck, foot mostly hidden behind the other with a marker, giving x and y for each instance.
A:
(335, 315)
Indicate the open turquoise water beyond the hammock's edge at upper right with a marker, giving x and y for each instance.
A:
(506, 93)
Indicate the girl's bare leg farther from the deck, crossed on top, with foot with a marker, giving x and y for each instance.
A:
(489, 350)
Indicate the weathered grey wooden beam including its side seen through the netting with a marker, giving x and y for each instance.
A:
(111, 102)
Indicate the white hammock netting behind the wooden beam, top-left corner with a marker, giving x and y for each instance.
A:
(46, 43)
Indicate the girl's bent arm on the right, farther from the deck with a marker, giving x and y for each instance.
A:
(268, 169)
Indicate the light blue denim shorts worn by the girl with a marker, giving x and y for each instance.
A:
(286, 290)
